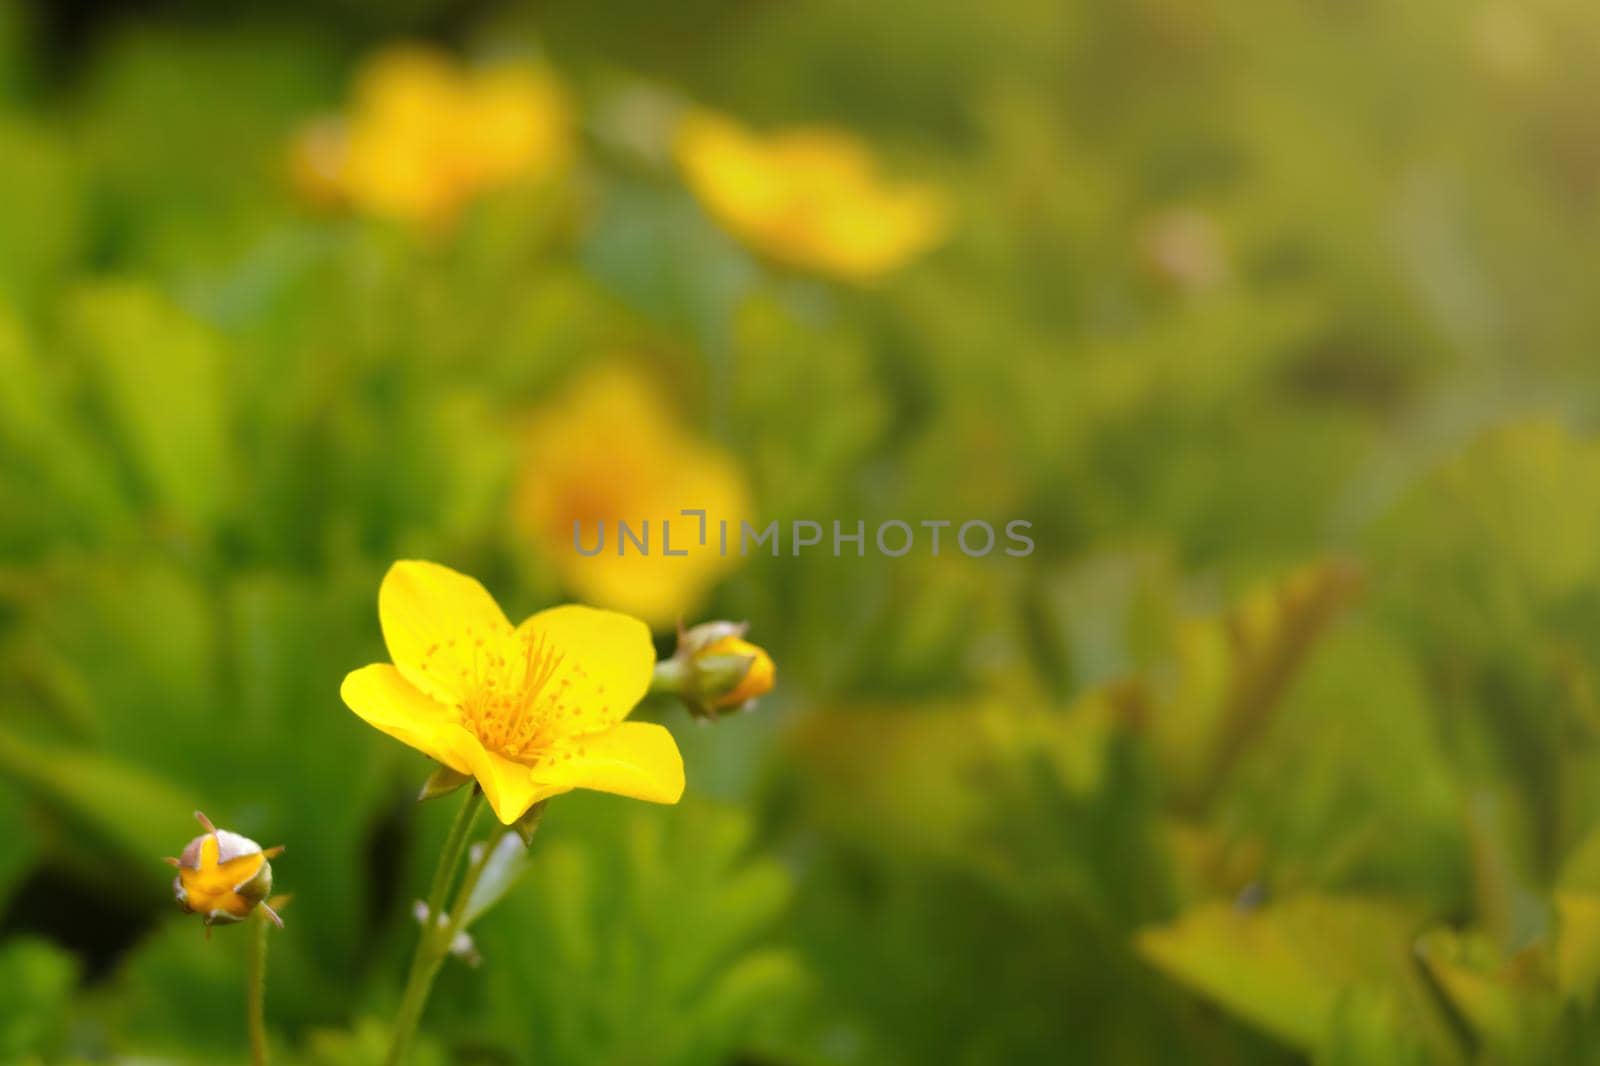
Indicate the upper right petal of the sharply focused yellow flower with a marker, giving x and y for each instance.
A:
(607, 660)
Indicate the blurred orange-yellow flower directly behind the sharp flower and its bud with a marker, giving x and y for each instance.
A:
(606, 452)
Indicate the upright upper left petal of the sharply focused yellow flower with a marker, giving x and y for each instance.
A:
(434, 622)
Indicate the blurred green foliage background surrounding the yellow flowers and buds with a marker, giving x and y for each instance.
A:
(1278, 323)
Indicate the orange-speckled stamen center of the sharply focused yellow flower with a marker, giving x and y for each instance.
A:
(514, 702)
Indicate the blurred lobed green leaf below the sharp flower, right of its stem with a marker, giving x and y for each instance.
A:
(639, 936)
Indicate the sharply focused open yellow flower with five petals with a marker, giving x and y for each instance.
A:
(530, 711)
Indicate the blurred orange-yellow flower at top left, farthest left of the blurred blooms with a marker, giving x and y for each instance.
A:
(423, 137)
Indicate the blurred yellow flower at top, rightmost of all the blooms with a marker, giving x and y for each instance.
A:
(810, 198)
